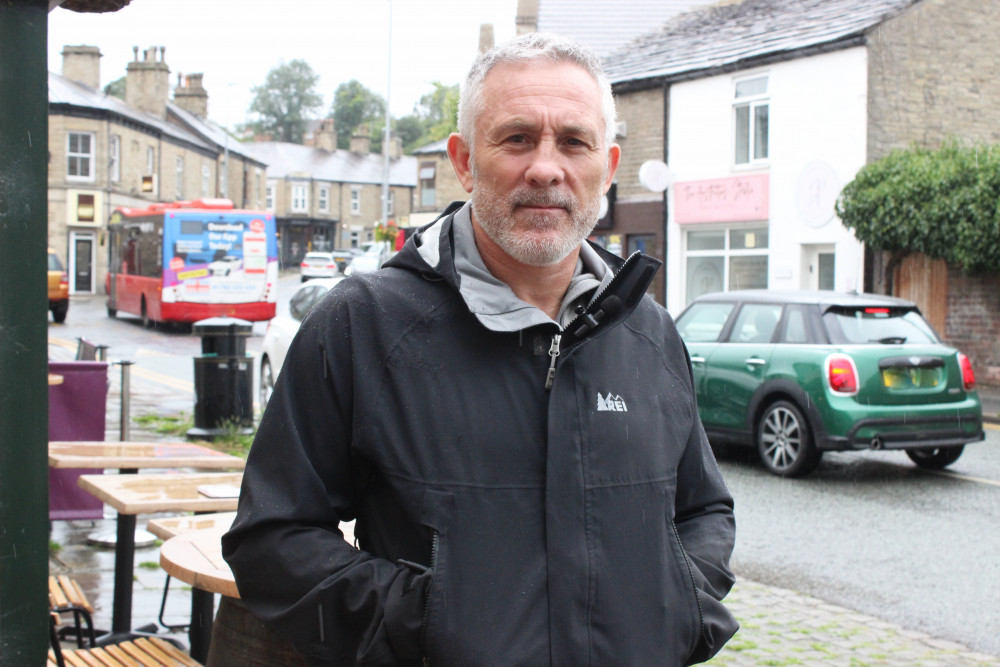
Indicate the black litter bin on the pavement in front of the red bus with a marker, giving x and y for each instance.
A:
(223, 379)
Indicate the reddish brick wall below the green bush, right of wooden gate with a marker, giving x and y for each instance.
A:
(973, 323)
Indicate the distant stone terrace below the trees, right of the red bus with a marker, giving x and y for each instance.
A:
(325, 198)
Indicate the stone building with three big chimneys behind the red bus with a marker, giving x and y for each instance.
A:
(105, 153)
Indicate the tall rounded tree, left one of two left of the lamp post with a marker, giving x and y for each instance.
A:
(286, 101)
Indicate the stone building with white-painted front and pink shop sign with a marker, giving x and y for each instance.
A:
(765, 109)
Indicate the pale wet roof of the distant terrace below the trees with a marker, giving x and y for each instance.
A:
(287, 160)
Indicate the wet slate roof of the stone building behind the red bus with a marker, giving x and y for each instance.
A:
(199, 132)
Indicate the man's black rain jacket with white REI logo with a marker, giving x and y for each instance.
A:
(499, 522)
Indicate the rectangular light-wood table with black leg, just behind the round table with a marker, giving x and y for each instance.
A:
(148, 493)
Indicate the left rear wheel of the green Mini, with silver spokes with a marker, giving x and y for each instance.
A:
(784, 441)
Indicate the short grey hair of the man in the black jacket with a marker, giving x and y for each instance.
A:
(532, 46)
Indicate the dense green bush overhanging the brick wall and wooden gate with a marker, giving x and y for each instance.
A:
(943, 203)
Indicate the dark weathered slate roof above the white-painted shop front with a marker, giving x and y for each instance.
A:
(727, 35)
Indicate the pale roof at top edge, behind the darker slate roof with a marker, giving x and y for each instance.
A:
(605, 26)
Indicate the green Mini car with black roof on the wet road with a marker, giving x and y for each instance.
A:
(795, 374)
